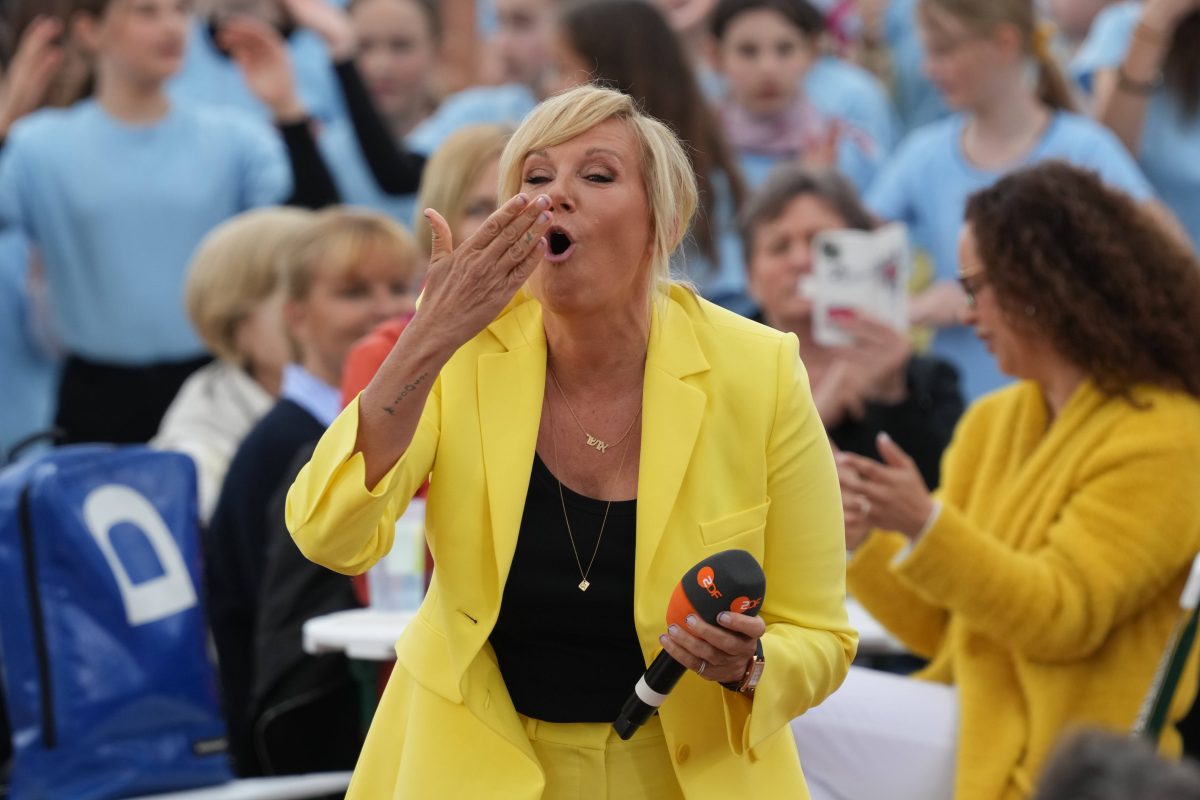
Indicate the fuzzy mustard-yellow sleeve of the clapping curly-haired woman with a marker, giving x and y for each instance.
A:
(1129, 530)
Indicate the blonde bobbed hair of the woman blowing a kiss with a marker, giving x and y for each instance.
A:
(667, 172)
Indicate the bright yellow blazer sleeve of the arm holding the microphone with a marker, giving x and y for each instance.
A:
(809, 643)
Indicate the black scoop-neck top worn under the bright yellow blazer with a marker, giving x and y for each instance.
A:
(569, 655)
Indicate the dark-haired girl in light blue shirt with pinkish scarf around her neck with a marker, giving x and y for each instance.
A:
(766, 49)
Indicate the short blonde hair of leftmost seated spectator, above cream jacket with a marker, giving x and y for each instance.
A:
(236, 268)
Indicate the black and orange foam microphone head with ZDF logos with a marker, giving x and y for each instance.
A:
(730, 581)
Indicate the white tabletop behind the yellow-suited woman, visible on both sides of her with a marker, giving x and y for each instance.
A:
(371, 635)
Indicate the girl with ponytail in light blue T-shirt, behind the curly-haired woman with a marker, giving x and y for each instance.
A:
(981, 55)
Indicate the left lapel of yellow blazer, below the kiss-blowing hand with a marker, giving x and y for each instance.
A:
(511, 392)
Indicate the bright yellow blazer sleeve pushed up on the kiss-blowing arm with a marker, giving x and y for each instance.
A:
(335, 519)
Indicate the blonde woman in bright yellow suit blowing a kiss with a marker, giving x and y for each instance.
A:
(563, 294)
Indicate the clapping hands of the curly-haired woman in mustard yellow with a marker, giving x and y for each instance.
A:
(891, 496)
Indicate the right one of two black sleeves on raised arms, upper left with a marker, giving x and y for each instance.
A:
(395, 170)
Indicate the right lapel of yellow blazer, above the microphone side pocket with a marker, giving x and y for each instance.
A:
(673, 411)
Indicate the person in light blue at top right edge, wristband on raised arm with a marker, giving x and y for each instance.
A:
(1142, 63)
